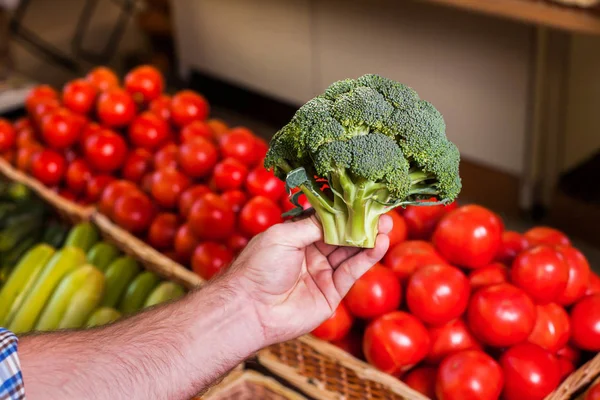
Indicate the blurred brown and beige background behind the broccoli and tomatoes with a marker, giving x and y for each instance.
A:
(516, 80)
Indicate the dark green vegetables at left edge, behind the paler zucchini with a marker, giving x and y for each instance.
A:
(24, 222)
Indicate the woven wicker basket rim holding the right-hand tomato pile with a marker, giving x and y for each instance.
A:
(326, 372)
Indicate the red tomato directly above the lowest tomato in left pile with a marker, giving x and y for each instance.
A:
(211, 218)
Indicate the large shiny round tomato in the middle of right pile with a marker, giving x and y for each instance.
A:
(501, 315)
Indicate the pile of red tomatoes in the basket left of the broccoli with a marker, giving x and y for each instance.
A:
(157, 165)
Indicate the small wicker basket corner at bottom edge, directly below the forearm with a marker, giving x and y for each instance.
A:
(249, 385)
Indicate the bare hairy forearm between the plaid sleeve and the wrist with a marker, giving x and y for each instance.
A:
(173, 352)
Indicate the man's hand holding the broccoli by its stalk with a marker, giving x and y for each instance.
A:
(294, 281)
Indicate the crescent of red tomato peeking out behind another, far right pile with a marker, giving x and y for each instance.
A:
(579, 275)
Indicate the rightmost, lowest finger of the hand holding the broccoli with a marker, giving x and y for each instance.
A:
(353, 268)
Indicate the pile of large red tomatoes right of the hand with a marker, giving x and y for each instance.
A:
(461, 308)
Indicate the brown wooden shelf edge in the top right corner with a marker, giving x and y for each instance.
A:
(544, 13)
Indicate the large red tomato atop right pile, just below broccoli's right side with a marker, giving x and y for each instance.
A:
(469, 236)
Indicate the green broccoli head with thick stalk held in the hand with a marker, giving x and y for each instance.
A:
(376, 145)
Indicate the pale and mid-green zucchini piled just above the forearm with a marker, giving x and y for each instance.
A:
(86, 283)
